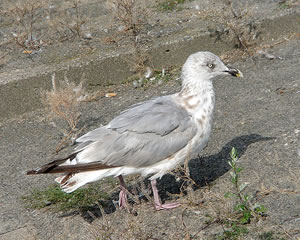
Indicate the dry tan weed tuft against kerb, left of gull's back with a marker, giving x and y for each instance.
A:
(63, 102)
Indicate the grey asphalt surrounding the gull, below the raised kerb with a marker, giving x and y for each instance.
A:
(259, 115)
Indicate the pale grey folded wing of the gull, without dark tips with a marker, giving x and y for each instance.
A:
(143, 135)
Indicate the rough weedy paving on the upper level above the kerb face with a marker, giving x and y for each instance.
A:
(59, 45)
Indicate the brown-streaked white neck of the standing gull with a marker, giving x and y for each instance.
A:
(198, 99)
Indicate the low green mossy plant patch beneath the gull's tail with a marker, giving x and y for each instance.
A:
(58, 200)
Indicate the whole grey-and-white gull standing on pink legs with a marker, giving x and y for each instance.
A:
(149, 138)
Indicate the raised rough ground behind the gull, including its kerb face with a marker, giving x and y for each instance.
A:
(168, 37)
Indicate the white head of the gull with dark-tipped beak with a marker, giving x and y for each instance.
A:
(205, 66)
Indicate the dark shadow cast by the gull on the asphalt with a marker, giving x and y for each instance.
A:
(203, 170)
